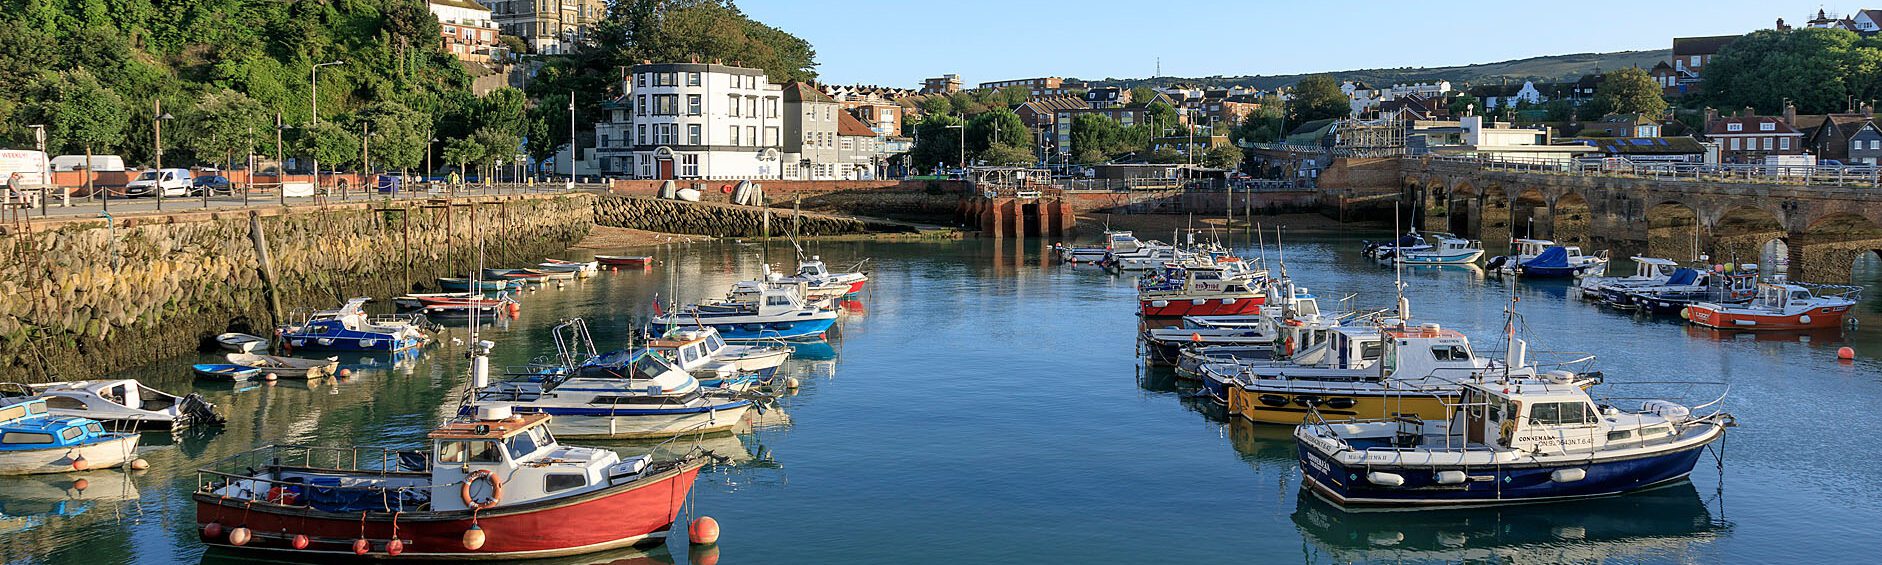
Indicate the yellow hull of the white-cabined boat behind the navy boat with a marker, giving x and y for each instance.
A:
(1292, 408)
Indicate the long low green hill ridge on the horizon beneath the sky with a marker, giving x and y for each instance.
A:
(1539, 69)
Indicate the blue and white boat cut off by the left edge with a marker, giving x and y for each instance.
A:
(35, 442)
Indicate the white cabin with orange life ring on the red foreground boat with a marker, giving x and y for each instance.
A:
(520, 453)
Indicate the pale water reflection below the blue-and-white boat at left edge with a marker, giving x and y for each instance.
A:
(33, 502)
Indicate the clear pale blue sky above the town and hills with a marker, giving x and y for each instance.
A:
(901, 42)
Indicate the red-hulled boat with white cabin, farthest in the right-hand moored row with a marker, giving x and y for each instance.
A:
(1202, 289)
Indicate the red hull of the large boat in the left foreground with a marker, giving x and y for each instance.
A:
(582, 525)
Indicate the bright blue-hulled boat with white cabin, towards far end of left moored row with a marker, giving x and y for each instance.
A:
(778, 314)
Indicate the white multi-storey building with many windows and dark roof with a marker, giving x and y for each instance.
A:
(694, 121)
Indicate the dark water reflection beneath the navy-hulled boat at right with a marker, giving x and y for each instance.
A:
(1663, 523)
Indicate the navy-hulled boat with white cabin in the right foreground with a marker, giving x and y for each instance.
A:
(1507, 442)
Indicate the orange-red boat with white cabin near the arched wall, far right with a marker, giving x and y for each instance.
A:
(1781, 308)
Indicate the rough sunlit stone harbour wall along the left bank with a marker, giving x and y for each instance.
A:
(86, 299)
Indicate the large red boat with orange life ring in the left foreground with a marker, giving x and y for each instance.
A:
(492, 487)
